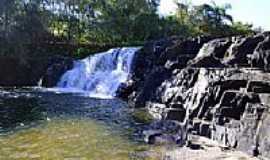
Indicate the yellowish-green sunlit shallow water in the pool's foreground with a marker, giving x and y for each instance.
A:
(68, 139)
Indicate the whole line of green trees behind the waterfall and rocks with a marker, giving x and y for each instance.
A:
(27, 26)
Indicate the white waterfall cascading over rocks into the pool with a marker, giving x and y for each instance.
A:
(101, 74)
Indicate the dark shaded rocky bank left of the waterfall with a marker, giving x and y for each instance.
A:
(28, 72)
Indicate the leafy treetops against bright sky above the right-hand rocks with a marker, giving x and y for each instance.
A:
(209, 19)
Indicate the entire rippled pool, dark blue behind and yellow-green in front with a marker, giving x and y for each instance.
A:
(47, 126)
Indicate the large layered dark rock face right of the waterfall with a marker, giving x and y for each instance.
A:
(220, 86)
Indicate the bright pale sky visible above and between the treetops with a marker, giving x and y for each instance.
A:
(256, 12)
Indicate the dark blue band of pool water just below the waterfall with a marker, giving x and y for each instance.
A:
(27, 107)
